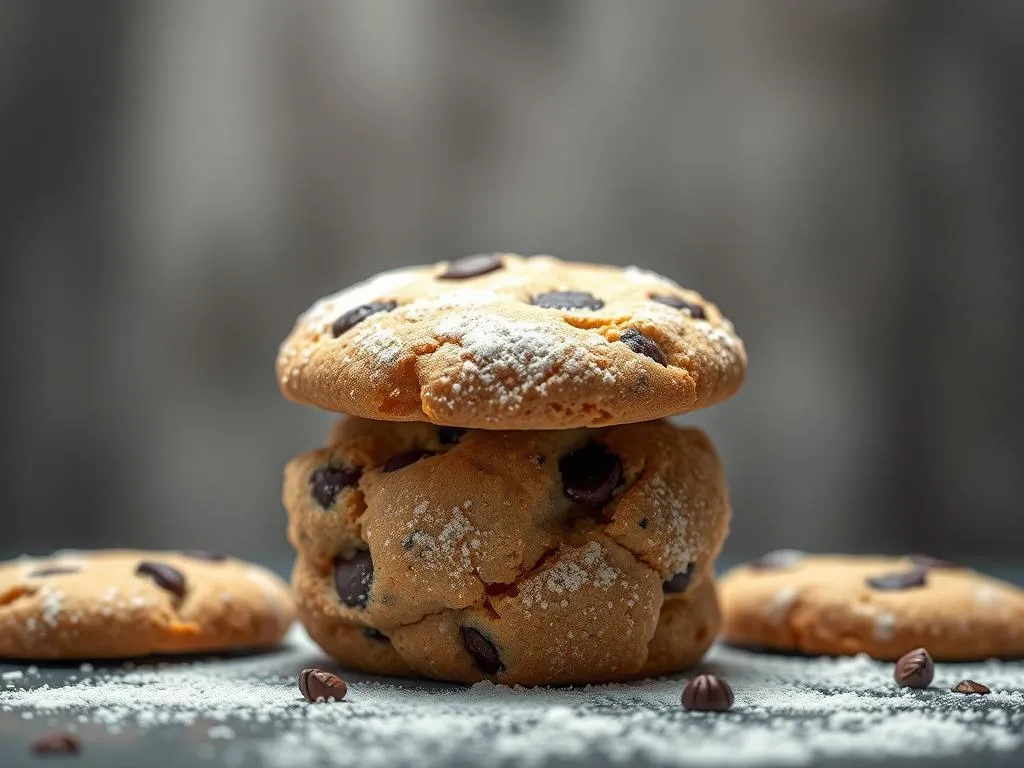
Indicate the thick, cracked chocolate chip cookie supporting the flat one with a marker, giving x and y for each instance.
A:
(529, 558)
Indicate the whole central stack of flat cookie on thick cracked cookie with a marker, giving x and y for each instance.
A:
(504, 499)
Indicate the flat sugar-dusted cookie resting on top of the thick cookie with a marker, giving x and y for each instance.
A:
(498, 342)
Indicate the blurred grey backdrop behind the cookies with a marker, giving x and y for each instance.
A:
(846, 180)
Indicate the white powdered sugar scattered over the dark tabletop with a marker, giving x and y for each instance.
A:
(789, 711)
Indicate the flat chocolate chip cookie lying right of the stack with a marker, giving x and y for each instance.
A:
(883, 607)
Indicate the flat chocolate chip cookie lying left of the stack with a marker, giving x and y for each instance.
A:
(122, 604)
